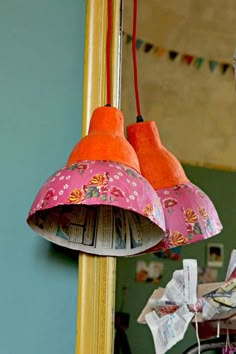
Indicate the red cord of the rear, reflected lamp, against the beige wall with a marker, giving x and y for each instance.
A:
(139, 116)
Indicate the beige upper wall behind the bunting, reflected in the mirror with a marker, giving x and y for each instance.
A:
(194, 108)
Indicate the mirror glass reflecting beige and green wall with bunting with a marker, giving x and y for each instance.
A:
(186, 84)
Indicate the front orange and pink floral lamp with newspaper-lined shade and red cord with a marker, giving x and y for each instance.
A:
(99, 202)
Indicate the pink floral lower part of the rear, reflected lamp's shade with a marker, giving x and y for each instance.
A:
(190, 216)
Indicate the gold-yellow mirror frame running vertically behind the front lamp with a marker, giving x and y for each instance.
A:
(96, 274)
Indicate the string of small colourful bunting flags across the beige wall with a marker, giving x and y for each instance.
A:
(188, 59)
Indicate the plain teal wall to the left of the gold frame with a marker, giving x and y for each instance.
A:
(41, 67)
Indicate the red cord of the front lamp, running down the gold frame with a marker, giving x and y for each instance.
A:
(108, 52)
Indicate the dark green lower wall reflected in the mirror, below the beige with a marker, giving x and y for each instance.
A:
(220, 186)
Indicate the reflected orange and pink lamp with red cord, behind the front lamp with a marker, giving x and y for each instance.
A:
(190, 216)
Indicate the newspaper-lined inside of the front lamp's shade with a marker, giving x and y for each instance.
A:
(96, 229)
